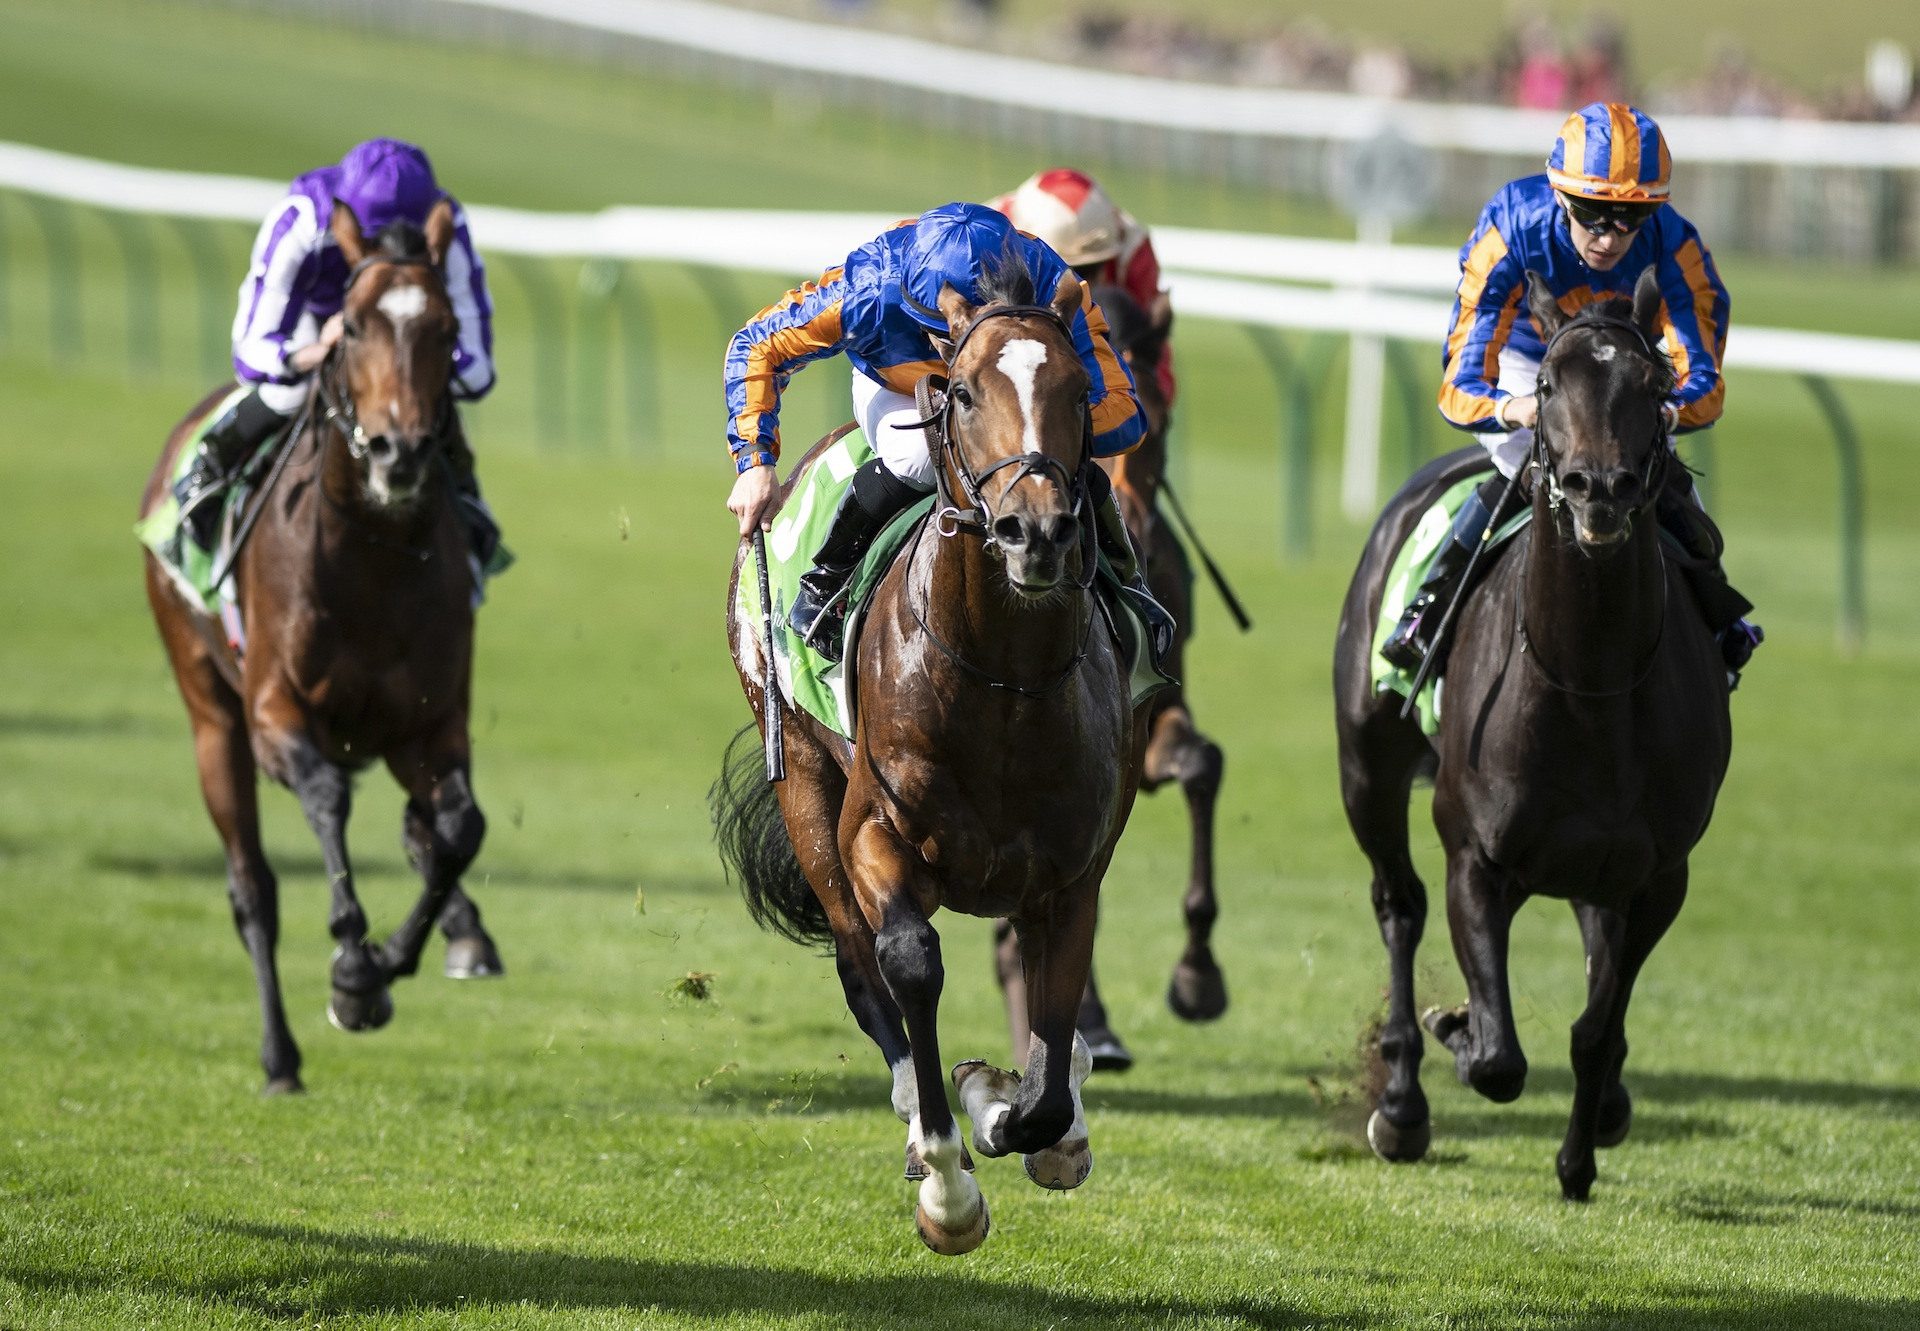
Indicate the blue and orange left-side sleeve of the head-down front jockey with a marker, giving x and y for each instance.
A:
(800, 327)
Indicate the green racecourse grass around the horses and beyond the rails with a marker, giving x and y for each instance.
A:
(581, 1148)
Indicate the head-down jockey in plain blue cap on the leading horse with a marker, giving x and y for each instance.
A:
(880, 308)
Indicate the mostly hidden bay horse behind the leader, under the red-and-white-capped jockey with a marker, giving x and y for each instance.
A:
(1176, 748)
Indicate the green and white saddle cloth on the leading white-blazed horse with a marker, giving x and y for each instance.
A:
(811, 683)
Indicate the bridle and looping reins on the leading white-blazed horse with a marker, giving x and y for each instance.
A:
(978, 520)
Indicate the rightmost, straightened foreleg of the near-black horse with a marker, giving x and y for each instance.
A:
(1618, 948)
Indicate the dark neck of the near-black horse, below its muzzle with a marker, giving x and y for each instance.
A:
(1593, 623)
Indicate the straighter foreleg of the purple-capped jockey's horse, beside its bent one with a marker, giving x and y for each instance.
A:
(360, 1000)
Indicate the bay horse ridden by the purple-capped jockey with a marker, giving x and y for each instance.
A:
(356, 600)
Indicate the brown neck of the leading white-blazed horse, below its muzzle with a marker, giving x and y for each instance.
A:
(961, 594)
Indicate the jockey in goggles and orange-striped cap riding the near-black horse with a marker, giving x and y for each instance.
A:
(1589, 228)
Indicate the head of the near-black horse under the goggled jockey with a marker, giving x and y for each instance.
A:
(1600, 441)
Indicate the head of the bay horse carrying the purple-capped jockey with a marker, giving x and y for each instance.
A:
(395, 364)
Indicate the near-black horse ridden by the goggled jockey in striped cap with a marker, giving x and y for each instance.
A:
(1583, 740)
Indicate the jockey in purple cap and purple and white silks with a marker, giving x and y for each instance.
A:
(289, 316)
